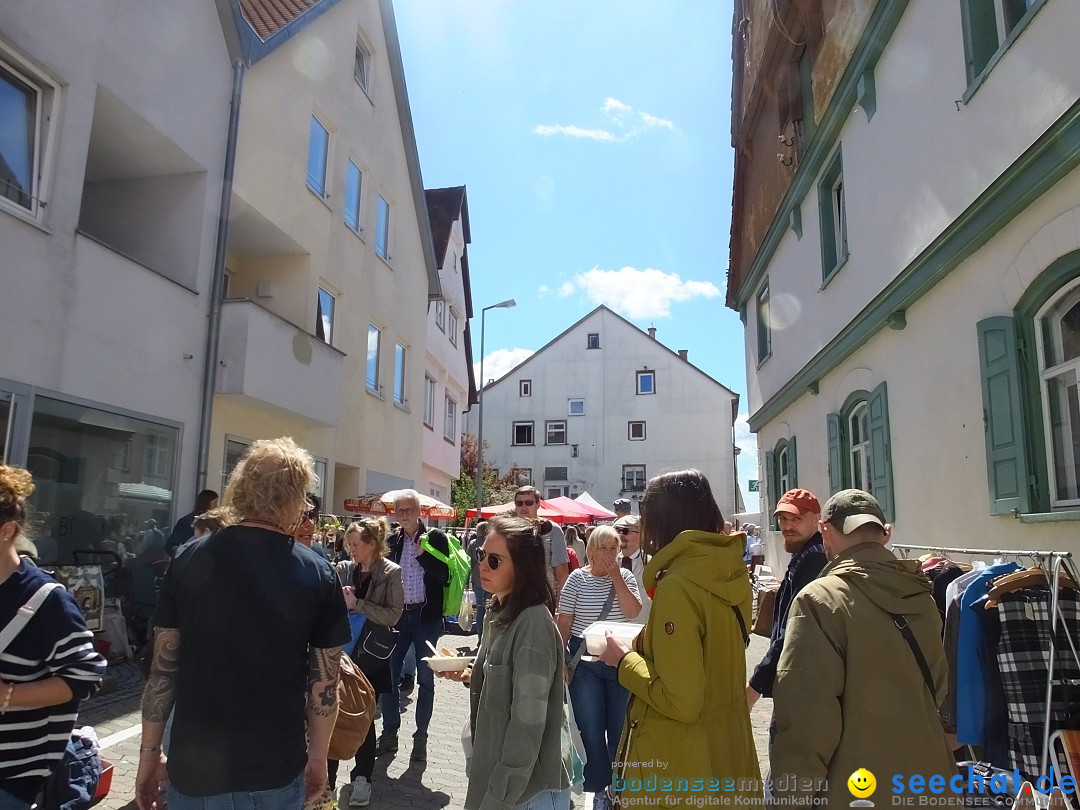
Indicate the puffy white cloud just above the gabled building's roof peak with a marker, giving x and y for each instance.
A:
(639, 294)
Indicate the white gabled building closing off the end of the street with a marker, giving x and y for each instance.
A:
(603, 409)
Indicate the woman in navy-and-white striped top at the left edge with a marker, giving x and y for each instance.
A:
(46, 670)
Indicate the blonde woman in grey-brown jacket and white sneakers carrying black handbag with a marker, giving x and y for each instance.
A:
(372, 586)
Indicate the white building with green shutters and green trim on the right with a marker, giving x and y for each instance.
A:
(909, 265)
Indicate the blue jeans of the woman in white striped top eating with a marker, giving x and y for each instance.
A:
(600, 708)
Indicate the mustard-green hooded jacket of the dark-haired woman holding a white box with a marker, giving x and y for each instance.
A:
(687, 719)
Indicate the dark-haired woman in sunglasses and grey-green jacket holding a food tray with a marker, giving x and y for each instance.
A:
(521, 738)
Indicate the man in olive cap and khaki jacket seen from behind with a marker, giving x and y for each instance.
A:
(863, 672)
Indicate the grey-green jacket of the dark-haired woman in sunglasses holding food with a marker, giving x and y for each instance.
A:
(521, 735)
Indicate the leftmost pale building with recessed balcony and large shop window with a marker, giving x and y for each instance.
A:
(109, 218)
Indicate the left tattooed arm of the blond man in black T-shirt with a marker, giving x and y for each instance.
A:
(158, 699)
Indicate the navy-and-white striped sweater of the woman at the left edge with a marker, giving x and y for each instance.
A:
(56, 643)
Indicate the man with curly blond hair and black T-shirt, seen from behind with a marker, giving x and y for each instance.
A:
(249, 622)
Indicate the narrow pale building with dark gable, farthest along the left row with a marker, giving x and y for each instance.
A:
(450, 386)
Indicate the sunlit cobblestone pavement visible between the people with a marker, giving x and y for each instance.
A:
(398, 784)
